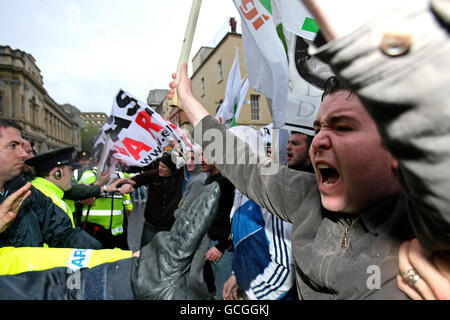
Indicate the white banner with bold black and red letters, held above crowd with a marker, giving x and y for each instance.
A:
(138, 135)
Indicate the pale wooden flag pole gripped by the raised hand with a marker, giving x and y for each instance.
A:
(187, 44)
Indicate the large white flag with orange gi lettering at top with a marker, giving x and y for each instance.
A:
(265, 56)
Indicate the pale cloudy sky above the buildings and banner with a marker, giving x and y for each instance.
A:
(89, 49)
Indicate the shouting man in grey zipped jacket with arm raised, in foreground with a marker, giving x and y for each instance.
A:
(379, 171)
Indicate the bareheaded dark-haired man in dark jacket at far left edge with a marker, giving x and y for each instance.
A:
(38, 220)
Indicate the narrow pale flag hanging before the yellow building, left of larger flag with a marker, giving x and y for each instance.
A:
(229, 105)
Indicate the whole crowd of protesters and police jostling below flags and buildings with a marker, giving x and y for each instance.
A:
(360, 211)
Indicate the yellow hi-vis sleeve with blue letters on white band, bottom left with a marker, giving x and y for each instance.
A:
(17, 260)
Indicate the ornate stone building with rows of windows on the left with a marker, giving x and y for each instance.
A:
(24, 99)
